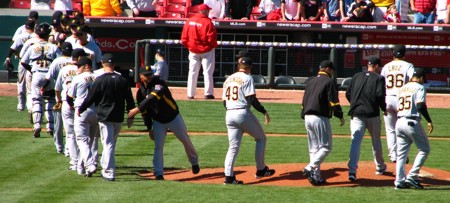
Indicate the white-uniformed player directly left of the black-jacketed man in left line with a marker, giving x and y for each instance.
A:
(86, 124)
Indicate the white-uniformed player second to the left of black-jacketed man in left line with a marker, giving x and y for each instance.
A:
(63, 82)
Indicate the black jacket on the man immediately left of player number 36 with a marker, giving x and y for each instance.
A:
(366, 94)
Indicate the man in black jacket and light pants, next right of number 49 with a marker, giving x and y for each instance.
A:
(320, 102)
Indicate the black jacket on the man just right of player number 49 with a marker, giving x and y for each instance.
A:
(321, 97)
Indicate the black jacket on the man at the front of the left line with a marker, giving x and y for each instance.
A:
(109, 93)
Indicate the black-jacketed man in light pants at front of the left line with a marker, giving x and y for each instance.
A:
(109, 92)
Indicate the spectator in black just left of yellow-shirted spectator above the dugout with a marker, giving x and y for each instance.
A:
(360, 11)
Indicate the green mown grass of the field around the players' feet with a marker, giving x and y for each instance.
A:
(31, 171)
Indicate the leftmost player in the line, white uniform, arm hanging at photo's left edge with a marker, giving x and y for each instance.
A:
(15, 48)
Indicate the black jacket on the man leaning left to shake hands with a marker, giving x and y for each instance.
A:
(156, 100)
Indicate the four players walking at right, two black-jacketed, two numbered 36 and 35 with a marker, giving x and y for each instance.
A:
(397, 90)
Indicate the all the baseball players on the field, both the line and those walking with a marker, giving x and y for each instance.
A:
(64, 77)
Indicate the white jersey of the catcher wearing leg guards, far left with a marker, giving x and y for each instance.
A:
(40, 55)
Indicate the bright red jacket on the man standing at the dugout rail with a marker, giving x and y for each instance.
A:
(199, 34)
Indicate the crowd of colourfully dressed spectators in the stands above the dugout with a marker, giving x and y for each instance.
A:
(395, 11)
